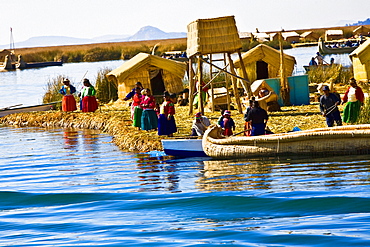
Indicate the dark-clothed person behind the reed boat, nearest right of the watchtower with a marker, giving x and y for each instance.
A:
(257, 118)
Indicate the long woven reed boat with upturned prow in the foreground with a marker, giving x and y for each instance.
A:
(341, 140)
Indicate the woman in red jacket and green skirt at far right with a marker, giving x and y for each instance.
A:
(354, 97)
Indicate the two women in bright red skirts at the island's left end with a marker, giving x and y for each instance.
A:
(88, 102)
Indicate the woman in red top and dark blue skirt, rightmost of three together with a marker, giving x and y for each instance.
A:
(166, 119)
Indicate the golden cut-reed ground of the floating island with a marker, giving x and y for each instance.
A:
(116, 122)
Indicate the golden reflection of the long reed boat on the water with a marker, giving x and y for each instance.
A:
(292, 175)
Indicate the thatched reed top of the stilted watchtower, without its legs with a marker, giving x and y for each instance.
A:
(210, 36)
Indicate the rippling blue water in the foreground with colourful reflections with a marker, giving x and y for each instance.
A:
(75, 188)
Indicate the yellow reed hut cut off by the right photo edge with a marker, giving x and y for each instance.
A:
(361, 62)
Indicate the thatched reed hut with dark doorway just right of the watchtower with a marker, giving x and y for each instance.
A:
(263, 62)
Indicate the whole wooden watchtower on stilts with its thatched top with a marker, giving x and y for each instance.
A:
(214, 36)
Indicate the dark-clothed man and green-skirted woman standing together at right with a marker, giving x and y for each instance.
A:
(353, 98)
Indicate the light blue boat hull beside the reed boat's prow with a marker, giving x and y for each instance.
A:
(183, 147)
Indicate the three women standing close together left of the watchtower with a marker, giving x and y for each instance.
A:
(149, 115)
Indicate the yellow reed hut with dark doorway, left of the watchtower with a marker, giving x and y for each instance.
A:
(156, 73)
